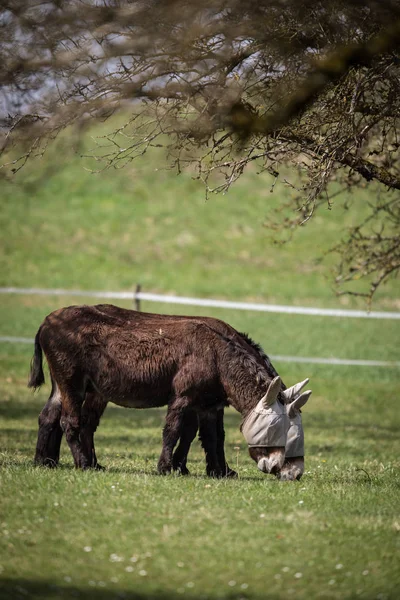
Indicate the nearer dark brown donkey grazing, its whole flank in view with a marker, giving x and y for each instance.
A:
(95, 353)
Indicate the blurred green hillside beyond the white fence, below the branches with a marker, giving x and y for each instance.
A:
(64, 226)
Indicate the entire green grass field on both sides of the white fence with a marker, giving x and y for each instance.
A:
(128, 533)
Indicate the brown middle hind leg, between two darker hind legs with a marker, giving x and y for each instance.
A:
(72, 401)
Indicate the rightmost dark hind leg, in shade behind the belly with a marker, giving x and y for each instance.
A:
(92, 410)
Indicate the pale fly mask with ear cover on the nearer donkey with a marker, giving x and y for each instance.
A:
(268, 423)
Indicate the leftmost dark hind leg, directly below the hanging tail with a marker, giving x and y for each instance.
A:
(50, 432)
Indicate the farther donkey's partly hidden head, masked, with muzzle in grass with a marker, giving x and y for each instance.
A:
(293, 467)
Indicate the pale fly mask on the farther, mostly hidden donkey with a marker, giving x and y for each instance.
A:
(294, 402)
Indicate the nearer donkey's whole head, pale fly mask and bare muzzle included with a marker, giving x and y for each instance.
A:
(265, 430)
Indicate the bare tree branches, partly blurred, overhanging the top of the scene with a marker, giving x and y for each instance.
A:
(222, 84)
